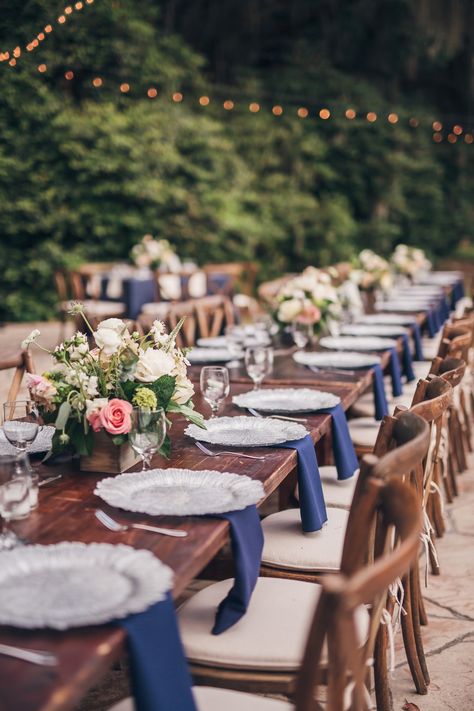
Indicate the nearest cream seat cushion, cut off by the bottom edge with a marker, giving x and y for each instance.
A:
(209, 698)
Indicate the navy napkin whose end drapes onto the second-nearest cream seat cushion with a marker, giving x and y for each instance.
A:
(246, 538)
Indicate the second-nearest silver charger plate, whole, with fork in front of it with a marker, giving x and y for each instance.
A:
(180, 492)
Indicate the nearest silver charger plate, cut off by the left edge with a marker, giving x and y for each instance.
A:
(75, 584)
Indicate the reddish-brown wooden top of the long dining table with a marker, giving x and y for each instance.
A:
(66, 512)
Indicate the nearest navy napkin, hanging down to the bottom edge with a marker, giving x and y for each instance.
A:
(158, 666)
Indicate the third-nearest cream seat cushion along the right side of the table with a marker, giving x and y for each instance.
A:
(286, 546)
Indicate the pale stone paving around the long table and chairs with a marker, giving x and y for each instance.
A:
(449, 638)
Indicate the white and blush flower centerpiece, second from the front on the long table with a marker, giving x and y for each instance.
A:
(309, 299)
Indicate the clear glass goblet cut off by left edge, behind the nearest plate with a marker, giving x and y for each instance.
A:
(14, 500)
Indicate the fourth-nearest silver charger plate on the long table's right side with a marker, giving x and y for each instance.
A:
(286, 400)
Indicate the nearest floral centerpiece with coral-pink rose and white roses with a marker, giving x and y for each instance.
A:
(89, 390)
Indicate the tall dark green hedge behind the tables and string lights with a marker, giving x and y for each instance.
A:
(85, 172)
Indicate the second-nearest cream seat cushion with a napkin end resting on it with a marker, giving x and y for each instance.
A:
(270, 636)
